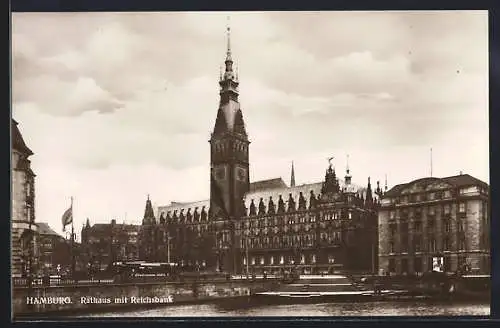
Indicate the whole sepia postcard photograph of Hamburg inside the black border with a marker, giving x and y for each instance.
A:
(250, 164)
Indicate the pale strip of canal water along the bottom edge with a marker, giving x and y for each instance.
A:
(326, 309)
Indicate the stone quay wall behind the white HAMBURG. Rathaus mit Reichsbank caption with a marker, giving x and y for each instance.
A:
(105, 297)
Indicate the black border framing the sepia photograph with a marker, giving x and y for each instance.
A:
(158, 5)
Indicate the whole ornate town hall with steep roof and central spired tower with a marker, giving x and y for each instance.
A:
(263, 226)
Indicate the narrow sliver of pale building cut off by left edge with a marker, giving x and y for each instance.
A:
(23, 227)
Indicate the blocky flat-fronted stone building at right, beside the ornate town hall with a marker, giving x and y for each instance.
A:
(429, 219)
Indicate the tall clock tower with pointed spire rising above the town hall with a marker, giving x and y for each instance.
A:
(229, 159)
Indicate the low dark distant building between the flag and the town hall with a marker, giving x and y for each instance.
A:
(105, 243)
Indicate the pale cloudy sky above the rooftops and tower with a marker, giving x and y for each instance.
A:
(119, 106)
